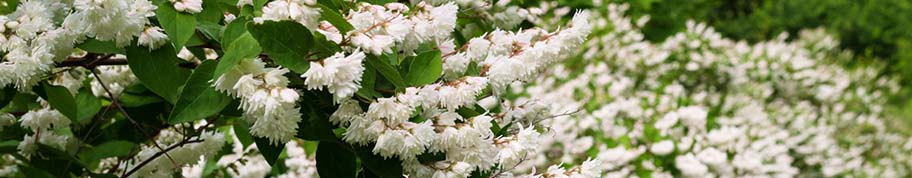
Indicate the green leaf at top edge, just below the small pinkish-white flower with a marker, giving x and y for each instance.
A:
(179, 26)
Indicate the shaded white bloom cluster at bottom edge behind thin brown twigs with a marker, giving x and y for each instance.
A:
(164, 166)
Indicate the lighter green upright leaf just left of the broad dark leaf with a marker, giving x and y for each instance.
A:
(242, 47)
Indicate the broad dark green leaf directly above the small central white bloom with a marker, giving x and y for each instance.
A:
(287, 43)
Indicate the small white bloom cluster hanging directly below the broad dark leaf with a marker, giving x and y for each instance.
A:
(341, 75)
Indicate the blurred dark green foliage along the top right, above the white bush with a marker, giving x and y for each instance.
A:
(875, 30)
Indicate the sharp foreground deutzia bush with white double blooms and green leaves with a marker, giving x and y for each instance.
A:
(281, 88)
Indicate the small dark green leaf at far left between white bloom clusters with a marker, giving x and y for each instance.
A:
(60, 99)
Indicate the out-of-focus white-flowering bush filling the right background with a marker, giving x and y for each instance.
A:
(699, 105)
